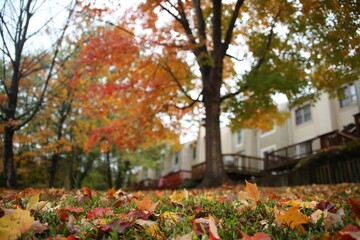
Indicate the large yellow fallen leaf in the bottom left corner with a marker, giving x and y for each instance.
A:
(15, 224)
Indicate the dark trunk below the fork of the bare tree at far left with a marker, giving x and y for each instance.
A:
(9, 169)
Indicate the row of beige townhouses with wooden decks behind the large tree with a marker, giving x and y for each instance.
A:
(310, 127)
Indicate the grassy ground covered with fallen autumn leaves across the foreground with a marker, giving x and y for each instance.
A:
(231, 212)
